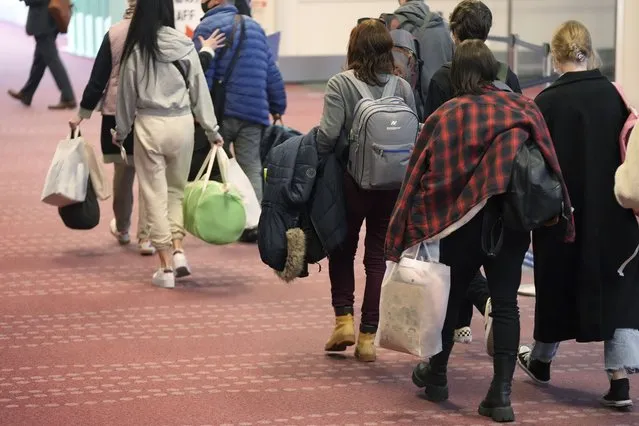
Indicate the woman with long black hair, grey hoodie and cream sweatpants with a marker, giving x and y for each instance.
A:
(161, 87)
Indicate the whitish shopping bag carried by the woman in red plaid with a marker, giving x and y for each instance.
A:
(413, 304)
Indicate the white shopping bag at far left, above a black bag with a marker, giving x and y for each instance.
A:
(68, 176)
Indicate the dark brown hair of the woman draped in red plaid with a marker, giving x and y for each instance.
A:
(474, 68)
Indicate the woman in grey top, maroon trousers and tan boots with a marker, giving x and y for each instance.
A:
(370, 64)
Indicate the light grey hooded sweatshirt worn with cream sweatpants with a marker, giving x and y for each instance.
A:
(161, 90)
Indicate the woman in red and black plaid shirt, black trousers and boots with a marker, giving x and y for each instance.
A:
(461, 163)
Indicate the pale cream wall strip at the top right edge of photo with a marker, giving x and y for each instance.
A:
(627, 54)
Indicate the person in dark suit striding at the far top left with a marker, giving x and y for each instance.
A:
(41, 26)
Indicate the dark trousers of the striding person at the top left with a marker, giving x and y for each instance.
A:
(46, 56)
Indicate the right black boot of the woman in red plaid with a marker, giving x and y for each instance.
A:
(496, 404)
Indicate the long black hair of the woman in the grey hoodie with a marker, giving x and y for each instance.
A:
(148, 18)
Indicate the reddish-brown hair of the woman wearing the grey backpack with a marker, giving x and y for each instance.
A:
(370, 52)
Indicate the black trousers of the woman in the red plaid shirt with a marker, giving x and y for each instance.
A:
(464, 255)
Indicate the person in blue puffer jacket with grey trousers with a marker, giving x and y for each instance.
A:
(254, 90)
